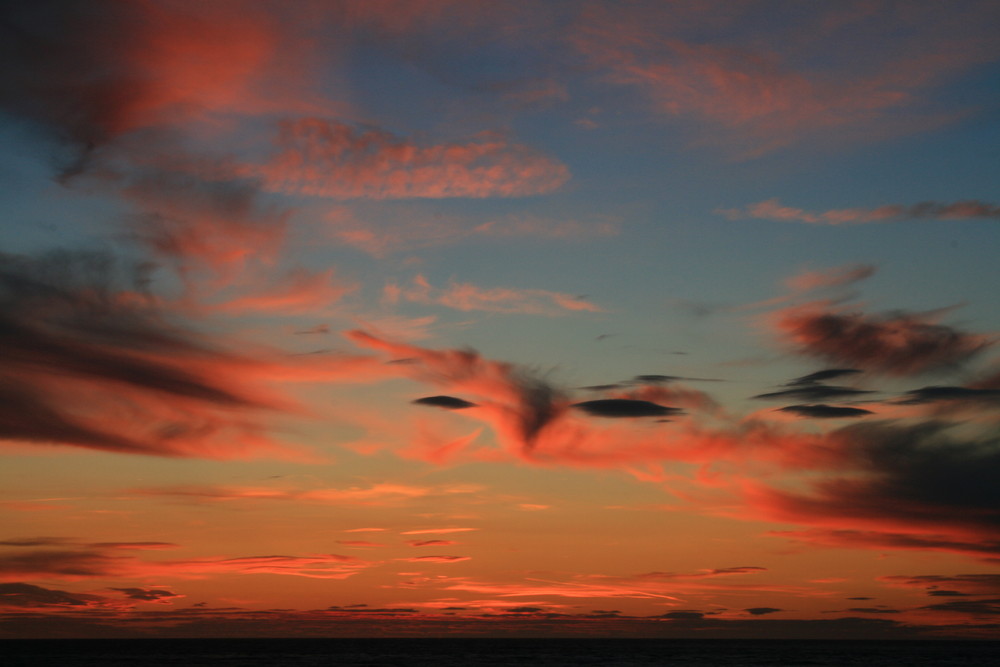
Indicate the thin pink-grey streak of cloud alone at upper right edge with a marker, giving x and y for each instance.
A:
(772, 209)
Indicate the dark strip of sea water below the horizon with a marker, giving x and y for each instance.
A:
(475, 652)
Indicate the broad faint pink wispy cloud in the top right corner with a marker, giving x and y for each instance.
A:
(764, 89)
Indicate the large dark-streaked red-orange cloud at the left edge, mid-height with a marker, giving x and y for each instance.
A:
(91, 360)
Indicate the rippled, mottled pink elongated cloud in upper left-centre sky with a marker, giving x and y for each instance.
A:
(327, 158)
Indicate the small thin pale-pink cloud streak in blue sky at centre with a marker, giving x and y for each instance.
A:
(466, 297)
